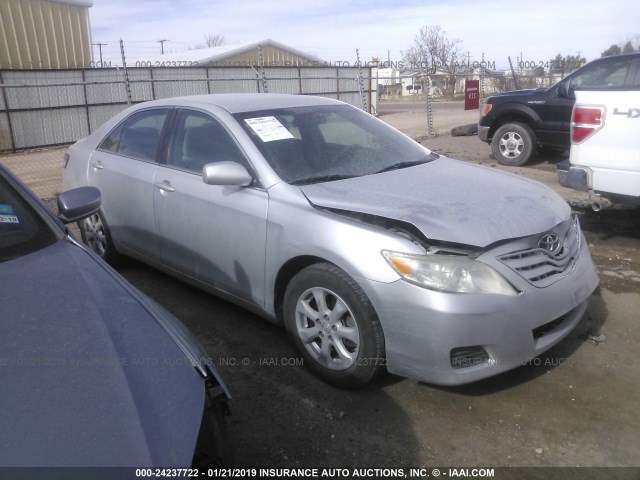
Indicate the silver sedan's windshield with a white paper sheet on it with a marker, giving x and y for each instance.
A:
(322, 143)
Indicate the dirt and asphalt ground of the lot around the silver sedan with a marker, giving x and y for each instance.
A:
(577, 405)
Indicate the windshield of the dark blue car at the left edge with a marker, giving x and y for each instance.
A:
(22, 230)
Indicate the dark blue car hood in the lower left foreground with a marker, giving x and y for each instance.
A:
(89, 377)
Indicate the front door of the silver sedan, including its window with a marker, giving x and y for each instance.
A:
(215, 234)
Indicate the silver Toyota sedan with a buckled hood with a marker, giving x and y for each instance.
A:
(374, 253)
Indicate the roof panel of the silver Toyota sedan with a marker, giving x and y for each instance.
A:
(245, 102)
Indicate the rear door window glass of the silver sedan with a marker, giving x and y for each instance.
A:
(138, 136)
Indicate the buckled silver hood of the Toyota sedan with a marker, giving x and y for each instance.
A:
(449, 201)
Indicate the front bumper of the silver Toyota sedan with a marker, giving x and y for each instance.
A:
(452, 339)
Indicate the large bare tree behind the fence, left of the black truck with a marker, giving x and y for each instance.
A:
(432, 51)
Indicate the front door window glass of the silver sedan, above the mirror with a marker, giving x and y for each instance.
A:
(198, 139)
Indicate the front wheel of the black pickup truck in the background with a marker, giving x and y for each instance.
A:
(513, 144)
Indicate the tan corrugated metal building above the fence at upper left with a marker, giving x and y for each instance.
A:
(45, 34)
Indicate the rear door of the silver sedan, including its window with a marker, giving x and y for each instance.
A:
(123, 168)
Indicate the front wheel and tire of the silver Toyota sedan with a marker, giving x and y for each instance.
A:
(334, 326)
